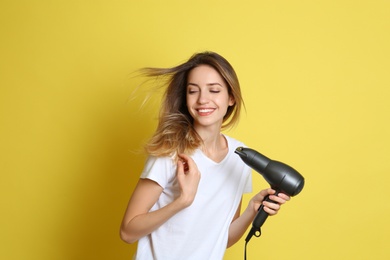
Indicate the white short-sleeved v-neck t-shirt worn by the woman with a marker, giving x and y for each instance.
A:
(201, 230)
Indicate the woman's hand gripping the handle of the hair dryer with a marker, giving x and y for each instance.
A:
(271, 208)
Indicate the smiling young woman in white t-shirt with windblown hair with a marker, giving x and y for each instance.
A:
(187, 202)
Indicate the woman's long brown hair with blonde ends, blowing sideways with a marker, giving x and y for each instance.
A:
(175, 132)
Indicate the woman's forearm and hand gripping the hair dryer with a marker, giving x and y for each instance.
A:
(240, 223)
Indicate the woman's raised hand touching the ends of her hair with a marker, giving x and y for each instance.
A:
(188, 177)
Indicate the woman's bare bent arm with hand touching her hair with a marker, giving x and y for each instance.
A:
(138, 221)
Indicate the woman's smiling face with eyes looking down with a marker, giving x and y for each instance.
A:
(207, 97)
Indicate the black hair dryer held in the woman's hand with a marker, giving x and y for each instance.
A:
(280, 176)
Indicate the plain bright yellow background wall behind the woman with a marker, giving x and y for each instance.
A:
(315, 78)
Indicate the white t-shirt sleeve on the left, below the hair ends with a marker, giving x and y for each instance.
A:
(159, 169)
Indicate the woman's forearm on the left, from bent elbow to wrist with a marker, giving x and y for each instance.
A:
(144, 224)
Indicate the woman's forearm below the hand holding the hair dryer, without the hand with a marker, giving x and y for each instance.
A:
(239, 226)
